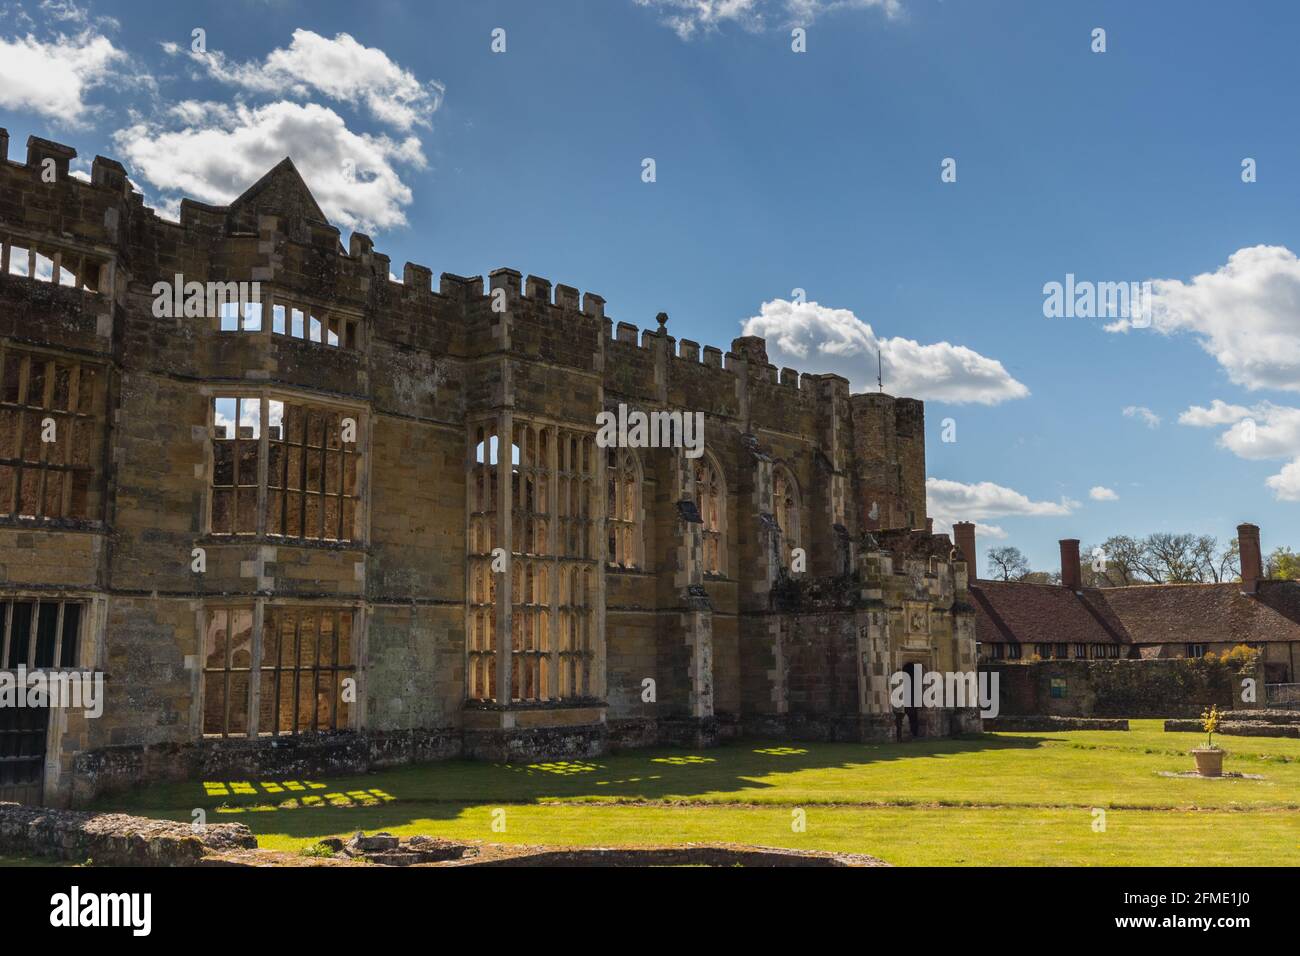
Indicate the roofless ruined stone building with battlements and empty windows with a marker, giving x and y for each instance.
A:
(359, 521)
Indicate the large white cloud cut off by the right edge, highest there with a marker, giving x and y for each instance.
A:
(1243, 315)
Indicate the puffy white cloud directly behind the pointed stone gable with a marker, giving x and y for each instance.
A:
(214, 153)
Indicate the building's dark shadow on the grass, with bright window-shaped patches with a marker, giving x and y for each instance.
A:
(738, 772)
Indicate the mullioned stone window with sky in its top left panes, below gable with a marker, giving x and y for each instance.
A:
(359, 457)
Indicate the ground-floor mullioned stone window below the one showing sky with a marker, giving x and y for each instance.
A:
(262, 612)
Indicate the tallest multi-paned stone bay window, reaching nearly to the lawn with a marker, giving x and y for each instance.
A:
(556, 492)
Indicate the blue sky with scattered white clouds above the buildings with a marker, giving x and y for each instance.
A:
(779, 171)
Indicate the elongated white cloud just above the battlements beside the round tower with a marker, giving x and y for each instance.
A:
(820, 339)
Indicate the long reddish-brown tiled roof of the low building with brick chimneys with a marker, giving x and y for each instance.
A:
(1142, 615)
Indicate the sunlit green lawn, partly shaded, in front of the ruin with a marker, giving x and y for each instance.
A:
(998, 799)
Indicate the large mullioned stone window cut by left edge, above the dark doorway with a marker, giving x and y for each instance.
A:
(83, 413)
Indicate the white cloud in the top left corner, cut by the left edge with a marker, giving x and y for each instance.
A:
(53, 77)
